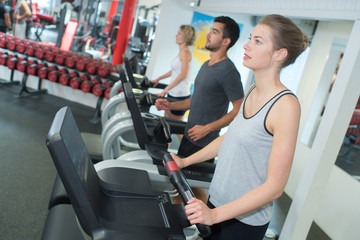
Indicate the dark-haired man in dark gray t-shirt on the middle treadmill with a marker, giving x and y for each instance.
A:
(217, 83)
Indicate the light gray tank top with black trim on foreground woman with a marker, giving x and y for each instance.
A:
(243, 160)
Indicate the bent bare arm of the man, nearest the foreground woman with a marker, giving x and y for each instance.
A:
(199, 131)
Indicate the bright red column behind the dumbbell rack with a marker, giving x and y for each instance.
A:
(124, 31)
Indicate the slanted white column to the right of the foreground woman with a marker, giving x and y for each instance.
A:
(330, 133)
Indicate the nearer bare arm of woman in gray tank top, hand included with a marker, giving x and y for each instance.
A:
(283, 122)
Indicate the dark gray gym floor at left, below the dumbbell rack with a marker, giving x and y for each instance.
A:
(27, 172)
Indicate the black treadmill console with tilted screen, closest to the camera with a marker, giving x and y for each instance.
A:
(113, 203)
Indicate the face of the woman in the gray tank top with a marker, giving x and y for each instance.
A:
(259, 50)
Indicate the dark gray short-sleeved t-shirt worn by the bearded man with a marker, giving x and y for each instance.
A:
(215, 86)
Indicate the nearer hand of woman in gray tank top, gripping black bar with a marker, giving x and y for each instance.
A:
(197, 212)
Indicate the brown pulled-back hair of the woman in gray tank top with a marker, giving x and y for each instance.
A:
(285, 34)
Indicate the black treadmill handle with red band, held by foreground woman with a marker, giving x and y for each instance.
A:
(182, 186)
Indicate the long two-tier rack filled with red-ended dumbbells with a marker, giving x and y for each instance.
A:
(75, 72)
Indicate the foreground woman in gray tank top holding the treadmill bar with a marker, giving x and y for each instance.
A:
(256, 153)
